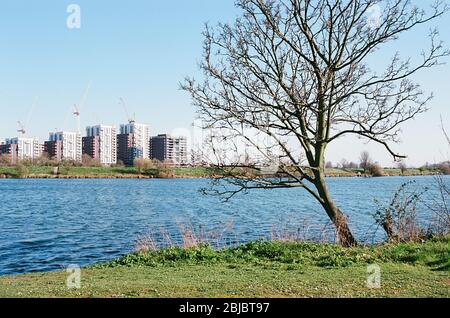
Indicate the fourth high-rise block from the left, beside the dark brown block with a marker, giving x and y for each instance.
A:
(133, 142)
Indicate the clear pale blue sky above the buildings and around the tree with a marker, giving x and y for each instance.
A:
(140, 50)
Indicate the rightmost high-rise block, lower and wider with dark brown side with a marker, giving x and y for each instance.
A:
(167, 148)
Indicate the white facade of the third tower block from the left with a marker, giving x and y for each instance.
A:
(107, 143)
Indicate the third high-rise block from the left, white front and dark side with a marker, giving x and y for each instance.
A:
(100, 143)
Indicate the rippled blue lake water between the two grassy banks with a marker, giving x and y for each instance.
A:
(47, 225)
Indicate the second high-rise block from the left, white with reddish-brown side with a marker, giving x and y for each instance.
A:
(64, 146)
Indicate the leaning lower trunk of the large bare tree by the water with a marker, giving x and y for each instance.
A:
(344, 233)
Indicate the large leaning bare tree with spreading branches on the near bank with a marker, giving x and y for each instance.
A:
(297, 72)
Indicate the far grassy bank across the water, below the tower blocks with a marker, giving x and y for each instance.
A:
(179, 172)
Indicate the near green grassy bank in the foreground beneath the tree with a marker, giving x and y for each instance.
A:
(261, 269)
